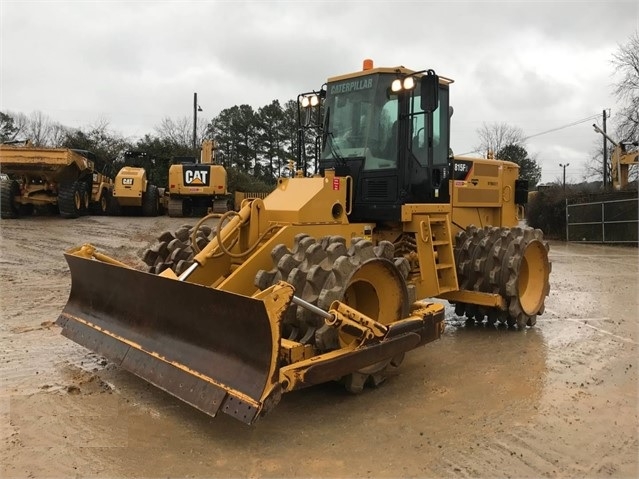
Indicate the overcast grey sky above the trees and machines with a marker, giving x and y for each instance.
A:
(537, 65)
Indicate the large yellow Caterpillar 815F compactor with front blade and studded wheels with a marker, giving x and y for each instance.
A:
(325, 278)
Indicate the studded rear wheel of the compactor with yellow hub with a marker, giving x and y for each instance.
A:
(512, 262)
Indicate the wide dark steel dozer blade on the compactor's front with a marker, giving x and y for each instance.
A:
(210, 348)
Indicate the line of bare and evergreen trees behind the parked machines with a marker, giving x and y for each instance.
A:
(257, 143)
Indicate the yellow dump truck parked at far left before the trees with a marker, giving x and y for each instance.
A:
(59, 179)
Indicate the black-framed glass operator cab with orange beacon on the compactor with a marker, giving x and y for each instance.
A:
(387, 128)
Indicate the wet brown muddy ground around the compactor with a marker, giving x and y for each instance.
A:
(557, 400)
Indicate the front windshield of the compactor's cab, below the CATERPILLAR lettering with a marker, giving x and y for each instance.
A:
(361, 119)
